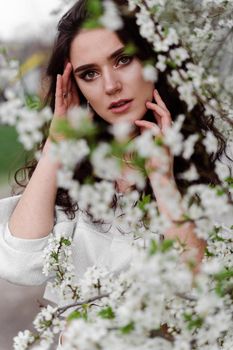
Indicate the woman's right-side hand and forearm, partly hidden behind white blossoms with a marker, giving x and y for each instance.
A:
(166, 191)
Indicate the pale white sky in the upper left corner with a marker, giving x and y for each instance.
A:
(20, 18)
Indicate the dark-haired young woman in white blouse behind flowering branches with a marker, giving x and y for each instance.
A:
(91, 66)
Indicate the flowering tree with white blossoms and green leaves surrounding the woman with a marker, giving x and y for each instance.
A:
(148, 306)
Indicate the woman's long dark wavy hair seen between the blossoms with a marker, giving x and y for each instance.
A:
(195, 120)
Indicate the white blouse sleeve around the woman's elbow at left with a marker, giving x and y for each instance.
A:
(21, 260)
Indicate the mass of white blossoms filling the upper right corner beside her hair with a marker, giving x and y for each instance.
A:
(193, 82)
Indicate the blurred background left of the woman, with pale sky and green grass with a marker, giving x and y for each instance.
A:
(27, 29)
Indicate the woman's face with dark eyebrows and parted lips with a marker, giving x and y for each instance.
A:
(110, 80)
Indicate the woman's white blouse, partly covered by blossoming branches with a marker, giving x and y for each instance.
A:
(21, 260)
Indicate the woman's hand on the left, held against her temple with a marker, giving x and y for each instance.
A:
(66, 97)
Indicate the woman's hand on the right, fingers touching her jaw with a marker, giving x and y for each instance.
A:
(164, 121)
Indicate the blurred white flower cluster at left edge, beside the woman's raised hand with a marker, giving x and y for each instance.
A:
(14, 111)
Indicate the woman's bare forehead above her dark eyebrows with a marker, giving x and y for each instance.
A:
(91, 45)
